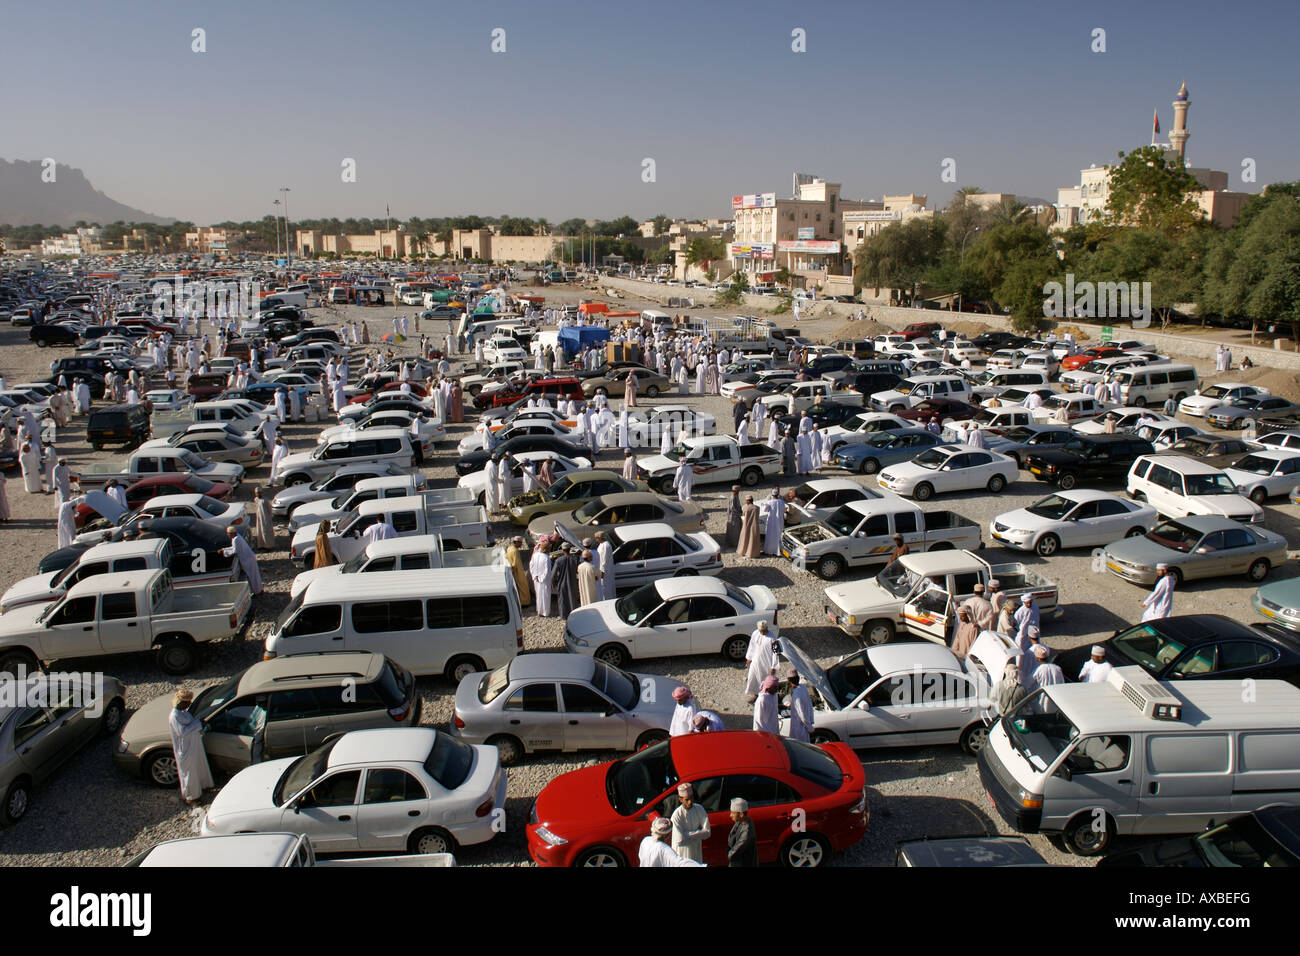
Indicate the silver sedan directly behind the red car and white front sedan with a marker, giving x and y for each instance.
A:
(562, 703)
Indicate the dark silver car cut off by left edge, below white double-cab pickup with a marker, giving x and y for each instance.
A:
(45, 723)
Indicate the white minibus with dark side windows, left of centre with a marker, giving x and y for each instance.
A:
(448, 621)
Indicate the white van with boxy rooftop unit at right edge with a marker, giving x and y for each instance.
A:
(1133, 755)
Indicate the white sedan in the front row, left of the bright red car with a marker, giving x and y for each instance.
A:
(402, 789)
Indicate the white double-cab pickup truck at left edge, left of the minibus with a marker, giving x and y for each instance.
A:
(125, 612)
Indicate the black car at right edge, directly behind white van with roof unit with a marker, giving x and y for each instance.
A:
(1198, 647)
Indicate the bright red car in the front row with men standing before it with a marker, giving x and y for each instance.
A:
(807, 801)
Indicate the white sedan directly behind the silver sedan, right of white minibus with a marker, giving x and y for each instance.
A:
(673, 617)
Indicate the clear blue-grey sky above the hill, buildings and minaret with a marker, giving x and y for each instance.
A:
(562, 123)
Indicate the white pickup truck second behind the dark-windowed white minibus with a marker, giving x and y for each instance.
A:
(460, 527)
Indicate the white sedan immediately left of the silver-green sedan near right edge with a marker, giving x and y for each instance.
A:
(1080, 518)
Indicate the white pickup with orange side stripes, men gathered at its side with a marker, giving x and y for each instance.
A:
(920, 595)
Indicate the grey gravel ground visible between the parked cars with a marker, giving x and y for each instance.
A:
(90, 815)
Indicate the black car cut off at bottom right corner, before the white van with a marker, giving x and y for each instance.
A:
(1266, 838)
